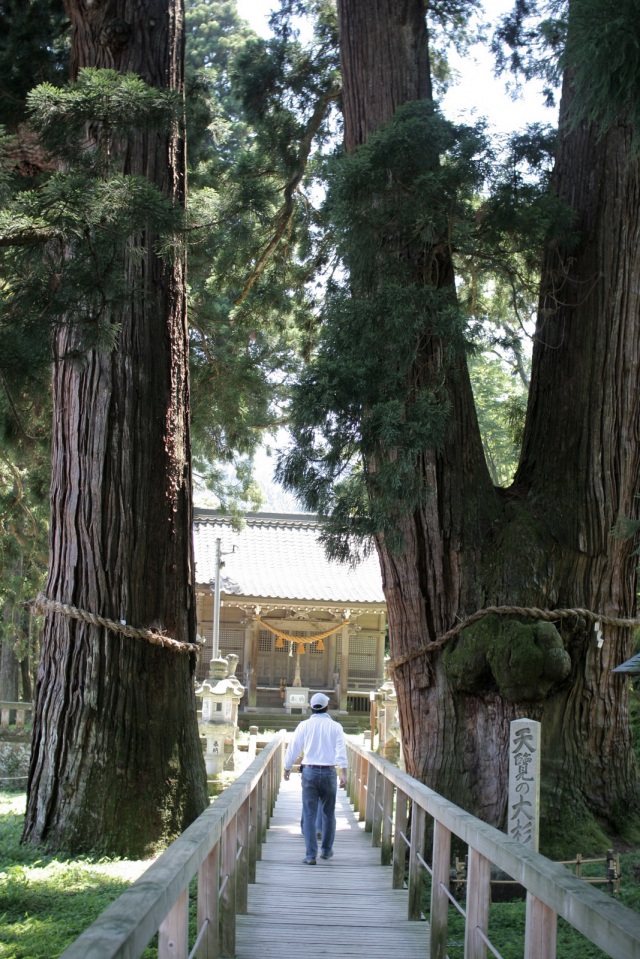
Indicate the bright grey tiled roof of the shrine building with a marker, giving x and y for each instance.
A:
(279, 556)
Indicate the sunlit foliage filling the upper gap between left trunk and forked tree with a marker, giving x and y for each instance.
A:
(255, 236)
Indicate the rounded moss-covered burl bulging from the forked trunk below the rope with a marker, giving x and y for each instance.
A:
(522, 659)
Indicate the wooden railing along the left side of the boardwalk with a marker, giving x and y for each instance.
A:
(220, 849)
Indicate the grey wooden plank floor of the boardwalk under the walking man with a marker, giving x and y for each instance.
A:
(343, 907)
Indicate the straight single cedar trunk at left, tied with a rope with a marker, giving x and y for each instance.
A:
(116, 761)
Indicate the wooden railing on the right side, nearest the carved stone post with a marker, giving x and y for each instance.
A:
(383, 794)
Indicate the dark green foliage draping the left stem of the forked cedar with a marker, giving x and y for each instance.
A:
(360, 416)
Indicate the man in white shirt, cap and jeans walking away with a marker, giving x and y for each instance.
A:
(321, 741)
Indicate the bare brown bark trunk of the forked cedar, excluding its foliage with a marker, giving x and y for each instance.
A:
(546, 542)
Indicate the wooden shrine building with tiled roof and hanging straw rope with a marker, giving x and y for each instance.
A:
(297, 621)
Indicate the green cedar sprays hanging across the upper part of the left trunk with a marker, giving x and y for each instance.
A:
(68, 238)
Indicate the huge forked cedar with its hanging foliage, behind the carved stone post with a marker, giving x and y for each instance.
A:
(389, 392)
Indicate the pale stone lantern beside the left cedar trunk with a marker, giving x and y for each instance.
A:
(221, 693)
